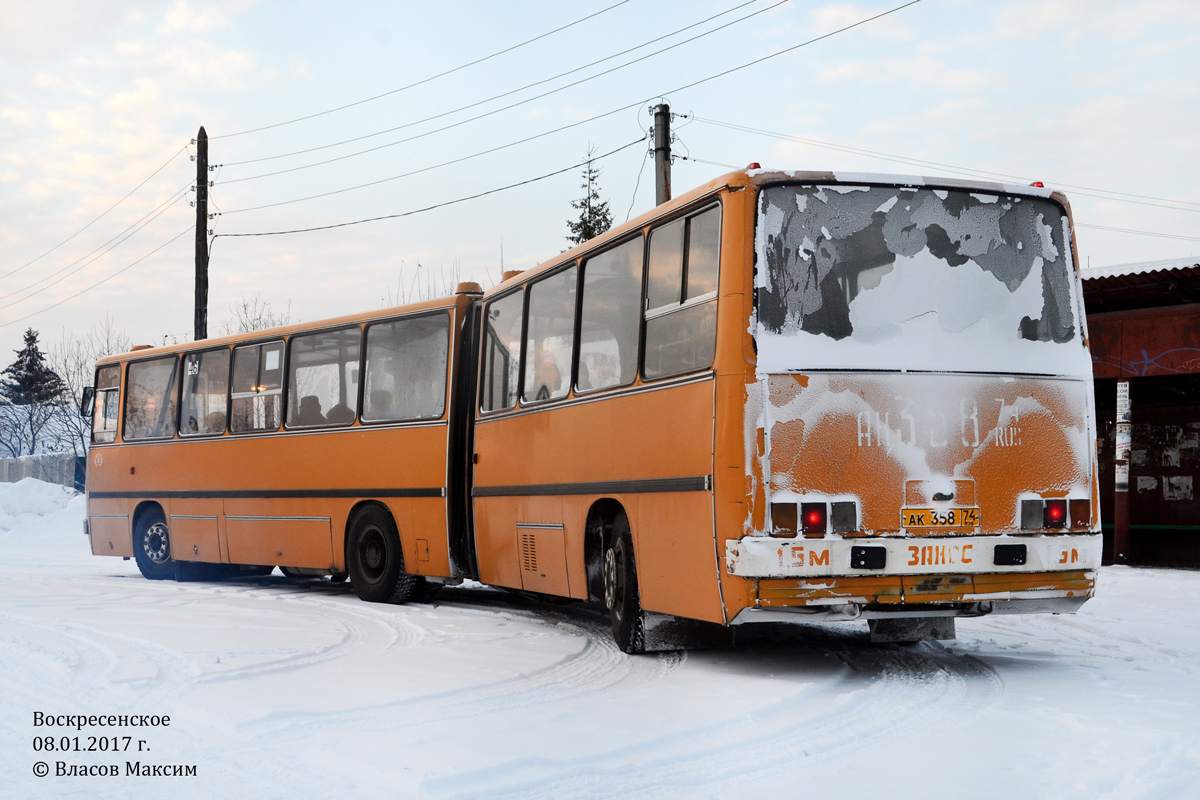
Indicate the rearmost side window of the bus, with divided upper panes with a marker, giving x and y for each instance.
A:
(681, 306)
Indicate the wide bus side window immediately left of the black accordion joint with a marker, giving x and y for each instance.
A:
(406, 375)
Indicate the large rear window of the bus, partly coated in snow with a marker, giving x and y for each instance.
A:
(938, 279)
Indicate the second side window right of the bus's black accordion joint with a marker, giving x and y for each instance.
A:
(550, 338)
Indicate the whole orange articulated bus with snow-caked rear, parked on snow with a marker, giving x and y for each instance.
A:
(783, 396)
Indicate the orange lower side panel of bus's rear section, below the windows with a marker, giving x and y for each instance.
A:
(573, 450)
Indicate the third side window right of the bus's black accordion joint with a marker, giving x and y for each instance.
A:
(610, 317)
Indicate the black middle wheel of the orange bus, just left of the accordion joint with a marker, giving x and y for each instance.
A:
(375, 560)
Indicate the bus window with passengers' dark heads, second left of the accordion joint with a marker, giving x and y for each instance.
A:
(323, 378)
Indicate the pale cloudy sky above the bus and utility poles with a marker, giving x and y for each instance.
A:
(1099, 99)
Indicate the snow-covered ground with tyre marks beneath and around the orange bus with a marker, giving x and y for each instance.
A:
(284, 689)
